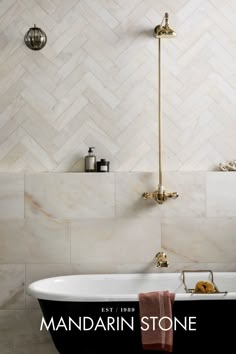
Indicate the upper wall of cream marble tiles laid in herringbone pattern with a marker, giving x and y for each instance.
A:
(95, 83)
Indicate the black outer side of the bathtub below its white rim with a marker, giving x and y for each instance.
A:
(213, 333)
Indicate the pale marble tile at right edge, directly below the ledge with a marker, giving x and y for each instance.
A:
(221, 194)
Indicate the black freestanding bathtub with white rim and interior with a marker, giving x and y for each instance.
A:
(97, 314)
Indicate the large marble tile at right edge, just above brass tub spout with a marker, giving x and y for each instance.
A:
(199, 240)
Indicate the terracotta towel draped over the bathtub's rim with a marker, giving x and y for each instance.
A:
(159, 304)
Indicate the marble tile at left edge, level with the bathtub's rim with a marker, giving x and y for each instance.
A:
(12, 280)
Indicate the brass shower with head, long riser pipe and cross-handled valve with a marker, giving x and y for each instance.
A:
(160, 195)
